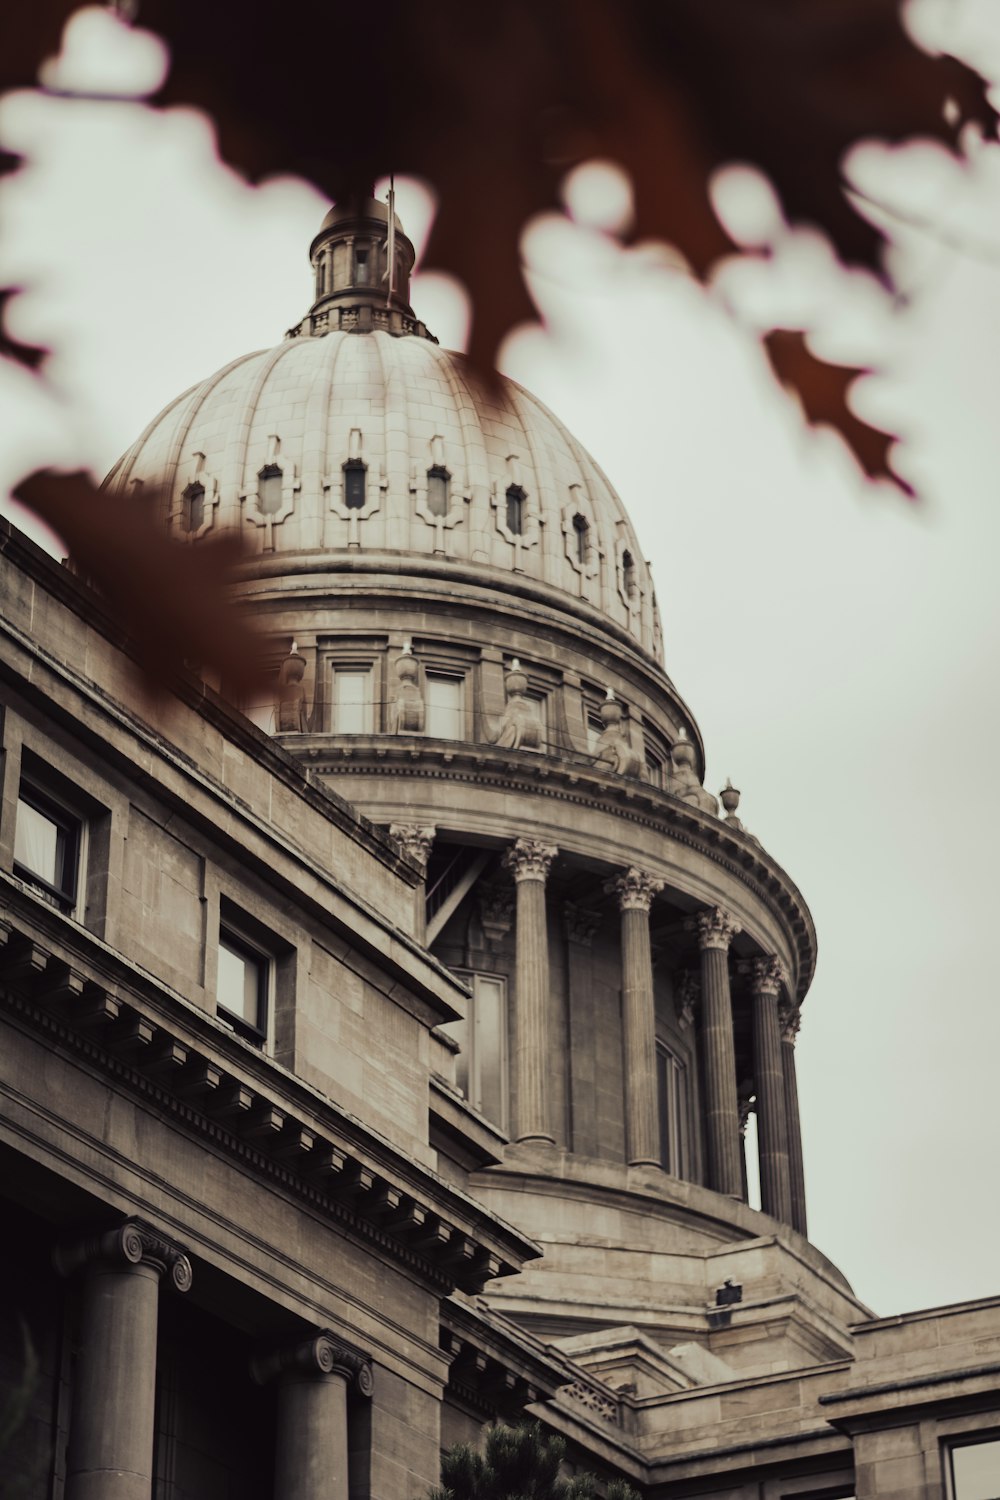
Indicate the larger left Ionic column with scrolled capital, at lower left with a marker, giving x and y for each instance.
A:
(112, 1426)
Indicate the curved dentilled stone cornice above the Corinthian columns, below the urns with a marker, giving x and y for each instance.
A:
(579, 785)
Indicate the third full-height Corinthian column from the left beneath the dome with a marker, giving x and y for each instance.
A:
(716, 932)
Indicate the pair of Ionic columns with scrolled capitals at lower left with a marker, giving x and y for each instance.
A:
(113, 1408)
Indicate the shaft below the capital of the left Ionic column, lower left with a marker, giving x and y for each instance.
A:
(112, 1444)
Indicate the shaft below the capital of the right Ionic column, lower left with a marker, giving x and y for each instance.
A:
(311, 1460)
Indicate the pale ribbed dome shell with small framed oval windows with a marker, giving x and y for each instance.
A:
(403, 407)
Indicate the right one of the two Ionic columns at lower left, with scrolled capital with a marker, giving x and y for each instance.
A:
(313, 1378)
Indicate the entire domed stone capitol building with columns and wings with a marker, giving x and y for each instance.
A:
(379, 1055)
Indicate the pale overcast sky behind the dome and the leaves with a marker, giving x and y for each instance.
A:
(839, 646)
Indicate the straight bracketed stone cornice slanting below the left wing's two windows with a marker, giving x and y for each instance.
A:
(251, 1111)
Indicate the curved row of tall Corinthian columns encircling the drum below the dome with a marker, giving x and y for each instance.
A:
(776, 1024)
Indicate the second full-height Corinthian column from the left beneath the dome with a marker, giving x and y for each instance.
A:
(635, 893)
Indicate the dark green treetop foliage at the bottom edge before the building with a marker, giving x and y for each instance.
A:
(519, 1463)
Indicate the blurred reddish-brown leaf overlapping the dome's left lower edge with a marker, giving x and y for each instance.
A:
(172, 598)
